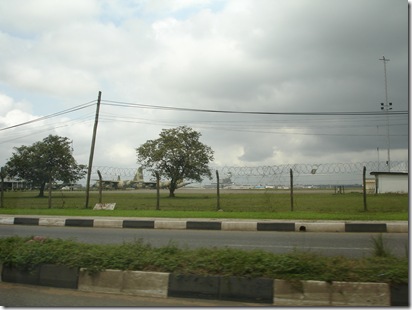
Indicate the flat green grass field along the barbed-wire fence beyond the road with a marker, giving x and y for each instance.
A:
(261, 204)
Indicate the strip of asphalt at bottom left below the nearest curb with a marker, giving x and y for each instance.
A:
(20, 295)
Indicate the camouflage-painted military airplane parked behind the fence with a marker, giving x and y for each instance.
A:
(137, 183)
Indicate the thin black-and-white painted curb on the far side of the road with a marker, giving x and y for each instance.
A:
(238, 225)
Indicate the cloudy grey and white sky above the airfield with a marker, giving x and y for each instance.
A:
(267, 56)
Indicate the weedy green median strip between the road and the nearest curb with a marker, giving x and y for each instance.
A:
(26, 253)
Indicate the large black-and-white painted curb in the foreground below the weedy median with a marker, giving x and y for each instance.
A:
(260, 290)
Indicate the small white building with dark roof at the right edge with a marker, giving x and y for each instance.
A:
(391, 182)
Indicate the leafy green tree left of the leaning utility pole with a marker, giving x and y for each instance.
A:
(44, 162)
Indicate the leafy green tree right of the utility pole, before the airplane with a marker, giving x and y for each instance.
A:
(177, 154)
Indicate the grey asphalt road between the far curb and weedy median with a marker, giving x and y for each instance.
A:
(332, 244)
